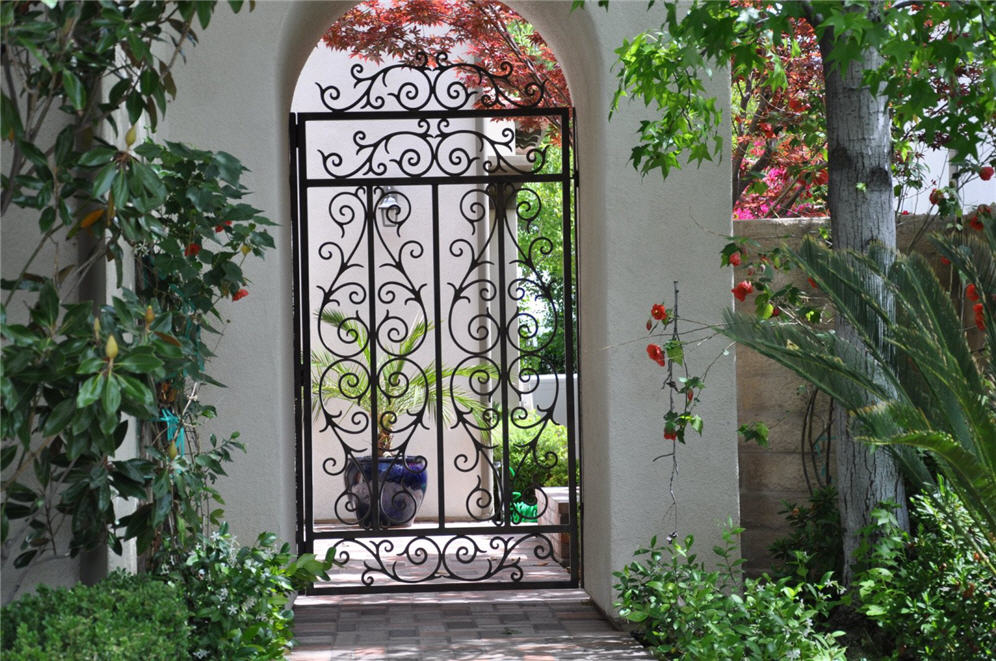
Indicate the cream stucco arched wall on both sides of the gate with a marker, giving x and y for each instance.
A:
(635, 238)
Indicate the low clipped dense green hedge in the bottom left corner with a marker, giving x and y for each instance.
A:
(122, 617)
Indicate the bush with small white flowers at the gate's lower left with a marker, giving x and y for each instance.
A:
(239, 597)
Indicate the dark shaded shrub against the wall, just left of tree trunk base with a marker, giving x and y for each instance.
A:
(814, 545)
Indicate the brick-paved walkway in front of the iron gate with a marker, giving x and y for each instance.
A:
(533, 625)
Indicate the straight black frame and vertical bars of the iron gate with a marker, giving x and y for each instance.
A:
(300, 185)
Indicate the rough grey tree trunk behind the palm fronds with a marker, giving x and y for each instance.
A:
(861, 210)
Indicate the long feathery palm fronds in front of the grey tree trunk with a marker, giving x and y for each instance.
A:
(935, 393)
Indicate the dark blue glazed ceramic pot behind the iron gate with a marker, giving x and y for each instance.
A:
(401, 481)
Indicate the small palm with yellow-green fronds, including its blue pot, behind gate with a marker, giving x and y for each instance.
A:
(399, 388)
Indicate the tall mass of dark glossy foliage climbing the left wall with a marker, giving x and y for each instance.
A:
(83, 80)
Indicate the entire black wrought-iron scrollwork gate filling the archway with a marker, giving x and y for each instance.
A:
(424, 300)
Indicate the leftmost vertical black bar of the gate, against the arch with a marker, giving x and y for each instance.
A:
(301, 538)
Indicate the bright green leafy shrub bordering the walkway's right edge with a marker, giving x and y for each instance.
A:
(682, 610)
